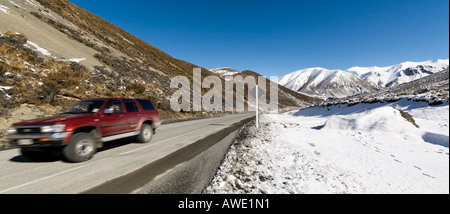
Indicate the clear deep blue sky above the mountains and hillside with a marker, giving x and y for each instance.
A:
(277, 37)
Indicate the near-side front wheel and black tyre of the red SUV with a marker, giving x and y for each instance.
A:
(81, 147)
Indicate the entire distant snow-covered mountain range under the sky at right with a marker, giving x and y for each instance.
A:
(326, 83)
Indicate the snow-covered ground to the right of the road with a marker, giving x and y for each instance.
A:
(364, 148)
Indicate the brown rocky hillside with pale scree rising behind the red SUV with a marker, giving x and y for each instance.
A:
(53, 53)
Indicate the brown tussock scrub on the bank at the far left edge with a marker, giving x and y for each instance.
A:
(36, 80)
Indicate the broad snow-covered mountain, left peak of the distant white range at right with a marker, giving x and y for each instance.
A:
(326, 83)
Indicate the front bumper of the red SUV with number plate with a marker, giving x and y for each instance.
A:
(41, 139)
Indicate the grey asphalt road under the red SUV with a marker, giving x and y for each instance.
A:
(114, 166)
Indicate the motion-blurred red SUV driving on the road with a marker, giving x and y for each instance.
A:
(85, 127)
